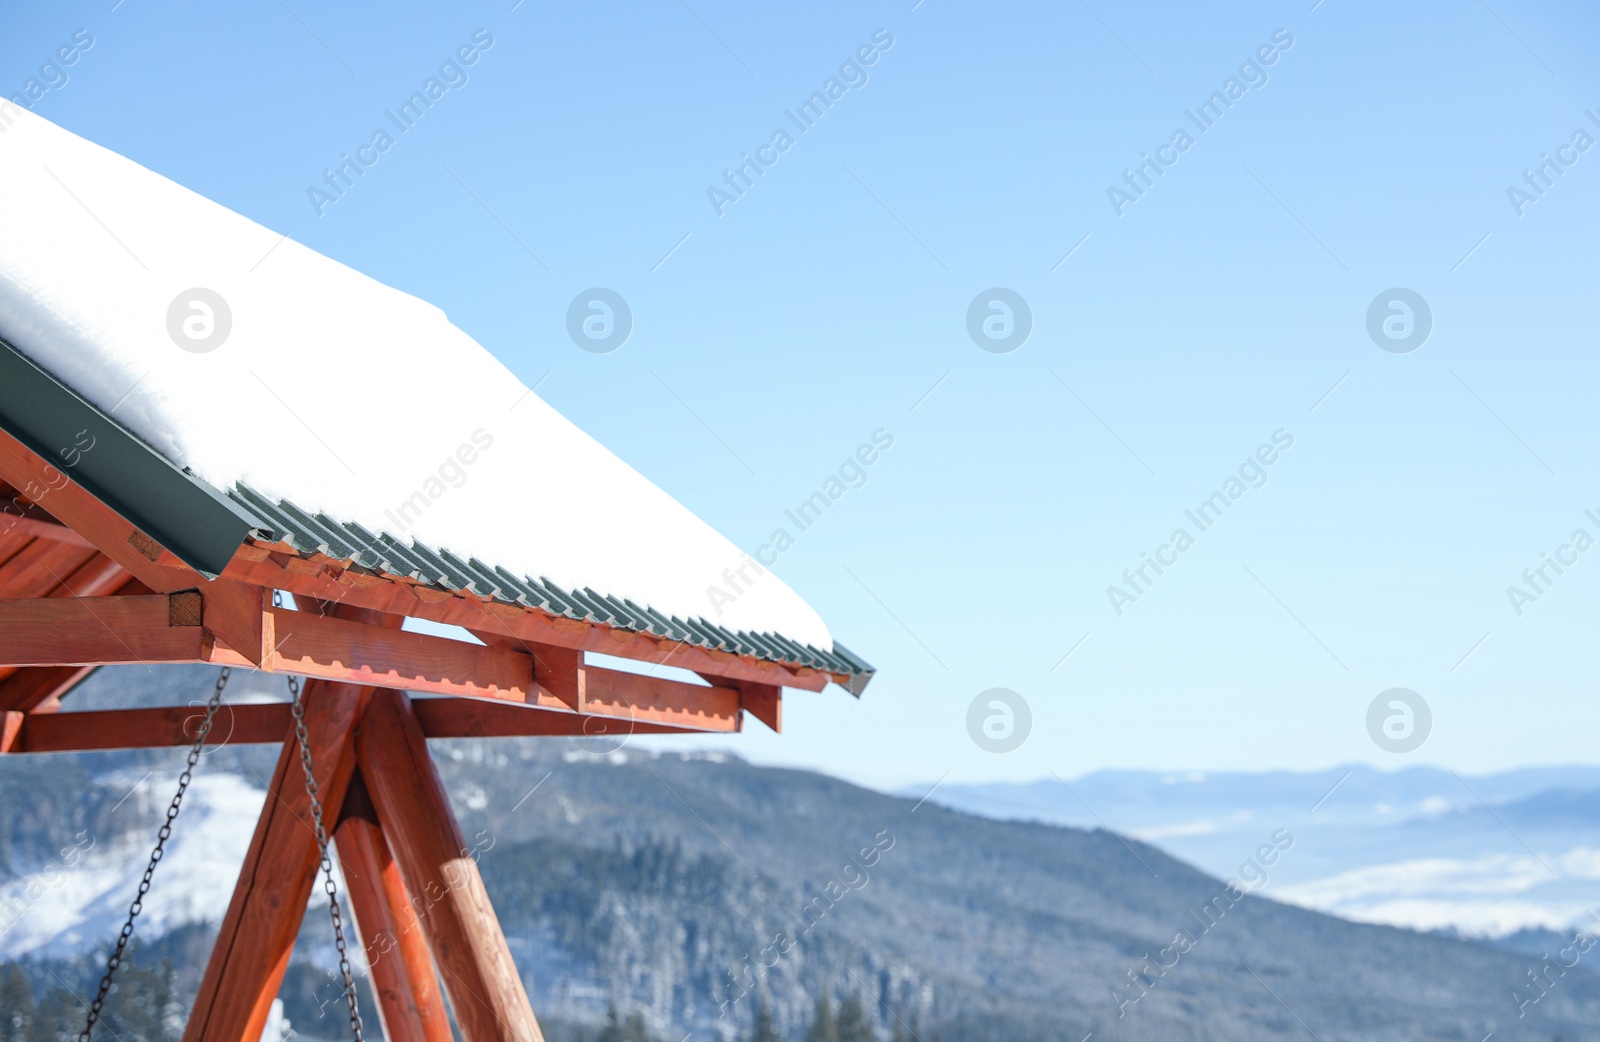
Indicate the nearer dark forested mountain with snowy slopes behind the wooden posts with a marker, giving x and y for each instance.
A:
(689, 888)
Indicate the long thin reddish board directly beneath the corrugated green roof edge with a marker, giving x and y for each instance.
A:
(332, 580)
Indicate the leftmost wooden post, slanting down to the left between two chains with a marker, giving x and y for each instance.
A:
(270, 900)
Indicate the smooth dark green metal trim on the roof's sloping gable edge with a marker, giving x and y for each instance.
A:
(175, 508)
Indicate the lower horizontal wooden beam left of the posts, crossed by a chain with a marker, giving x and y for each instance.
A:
(151, 729)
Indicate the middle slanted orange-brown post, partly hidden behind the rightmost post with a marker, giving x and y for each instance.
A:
(393, 940)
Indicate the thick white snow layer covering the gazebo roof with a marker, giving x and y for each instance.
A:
(330, 390)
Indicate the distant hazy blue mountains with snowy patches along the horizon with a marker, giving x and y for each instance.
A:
(1422, 848)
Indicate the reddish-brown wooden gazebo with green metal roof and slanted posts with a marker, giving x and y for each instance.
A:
(113, 553)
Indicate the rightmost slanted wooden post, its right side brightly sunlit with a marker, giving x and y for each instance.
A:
(442, 876)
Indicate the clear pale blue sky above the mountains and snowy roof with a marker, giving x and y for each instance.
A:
(1172, 335)
